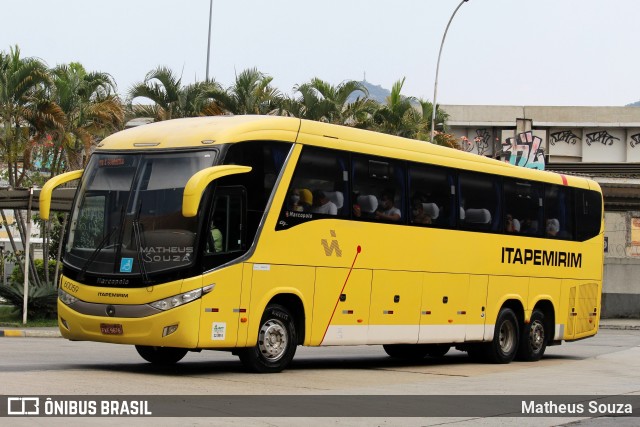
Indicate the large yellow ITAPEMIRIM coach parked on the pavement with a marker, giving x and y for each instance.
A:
(256, 234)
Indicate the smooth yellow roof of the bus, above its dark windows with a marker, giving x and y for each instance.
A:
(213, 130)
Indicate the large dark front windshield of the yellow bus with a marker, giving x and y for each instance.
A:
(127, 219)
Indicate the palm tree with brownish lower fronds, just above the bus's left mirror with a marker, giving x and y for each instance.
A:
(91, 107)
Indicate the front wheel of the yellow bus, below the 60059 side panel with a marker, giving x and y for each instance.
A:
(277, 342)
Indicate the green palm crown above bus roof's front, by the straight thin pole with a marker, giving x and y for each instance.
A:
(171, 100)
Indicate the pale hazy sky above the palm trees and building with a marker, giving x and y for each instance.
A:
(496, 52)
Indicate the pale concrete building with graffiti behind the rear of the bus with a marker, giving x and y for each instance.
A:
(602, 143)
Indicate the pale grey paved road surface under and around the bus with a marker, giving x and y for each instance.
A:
(608, 364)
